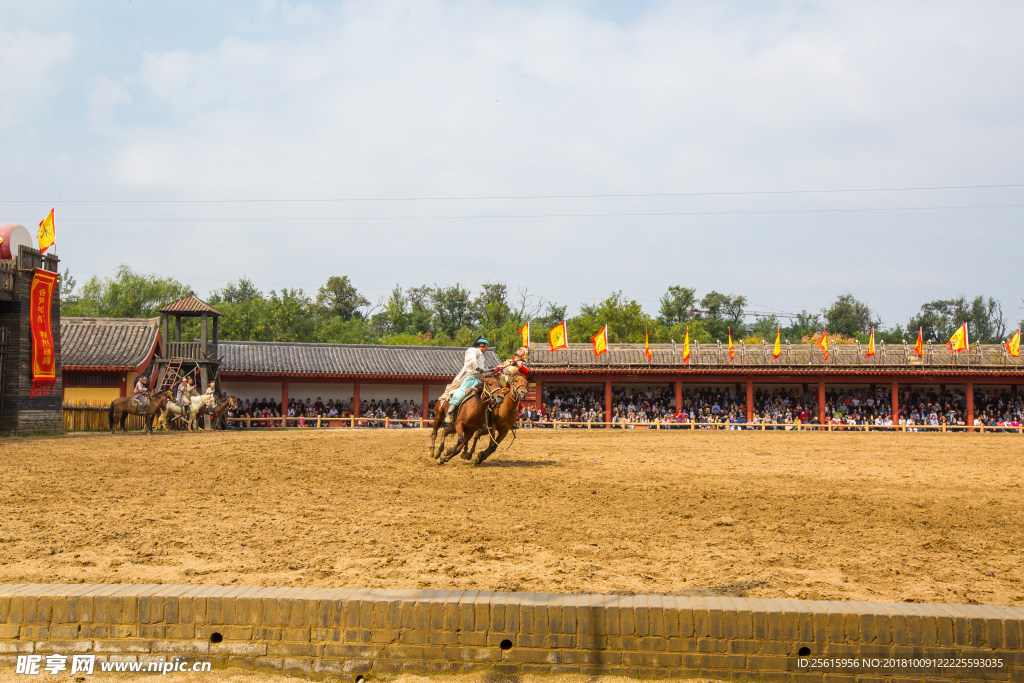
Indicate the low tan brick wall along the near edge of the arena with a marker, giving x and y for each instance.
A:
(350, 633)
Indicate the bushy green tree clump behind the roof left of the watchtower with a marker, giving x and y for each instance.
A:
(129, 294)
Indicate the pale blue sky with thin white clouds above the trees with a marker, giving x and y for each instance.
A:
(787, 152)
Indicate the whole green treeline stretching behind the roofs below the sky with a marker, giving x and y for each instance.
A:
(453, 316)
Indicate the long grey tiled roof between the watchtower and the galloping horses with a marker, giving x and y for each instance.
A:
(302, 359)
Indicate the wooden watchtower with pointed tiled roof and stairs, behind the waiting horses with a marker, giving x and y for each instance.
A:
(181, 359)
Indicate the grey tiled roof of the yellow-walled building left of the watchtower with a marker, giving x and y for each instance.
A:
(111, 344)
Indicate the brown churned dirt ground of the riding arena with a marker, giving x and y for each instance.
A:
(892, 518)
